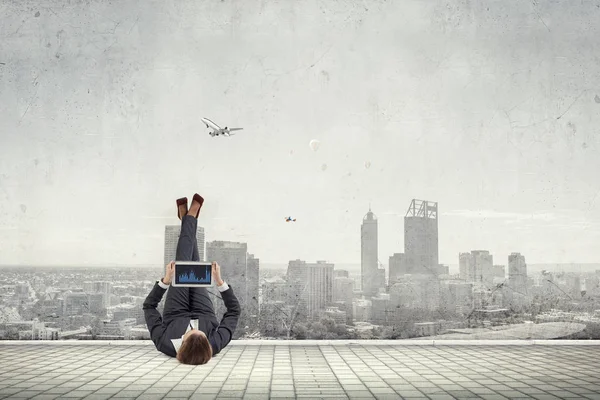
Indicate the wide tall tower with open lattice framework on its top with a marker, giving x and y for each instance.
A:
(421, 237)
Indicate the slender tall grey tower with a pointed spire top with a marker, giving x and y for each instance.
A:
(369, 255)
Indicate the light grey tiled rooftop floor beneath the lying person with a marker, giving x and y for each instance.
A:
(266, 369)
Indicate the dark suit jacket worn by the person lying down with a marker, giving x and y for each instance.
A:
(161, 333)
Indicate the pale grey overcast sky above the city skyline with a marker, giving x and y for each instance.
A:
(490, 109)
